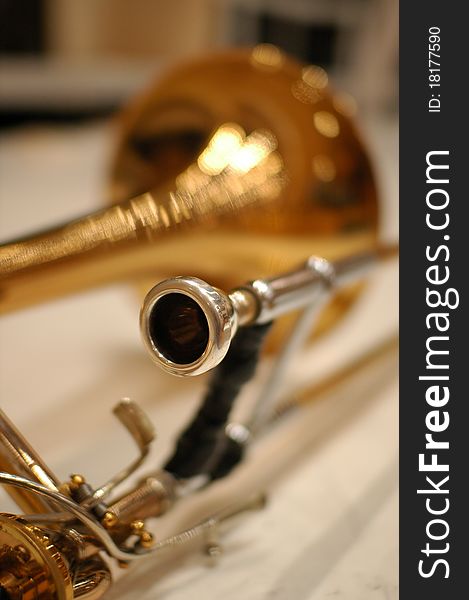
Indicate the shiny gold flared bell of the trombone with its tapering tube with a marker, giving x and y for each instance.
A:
(232, 167)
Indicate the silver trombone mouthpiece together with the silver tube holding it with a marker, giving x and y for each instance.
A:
(187, 325)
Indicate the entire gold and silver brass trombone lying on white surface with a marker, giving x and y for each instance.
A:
(243, 184)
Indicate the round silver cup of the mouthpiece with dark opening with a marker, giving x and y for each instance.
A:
(187, 325)
